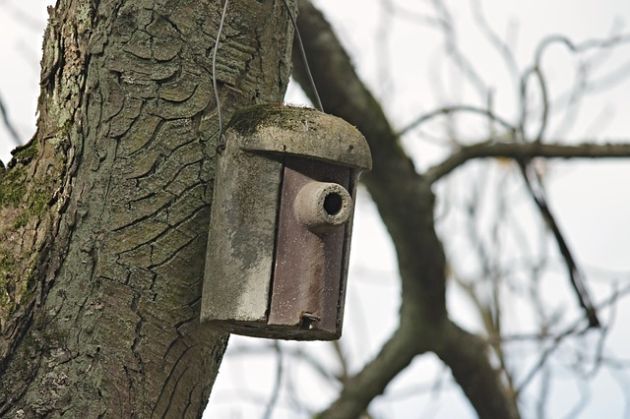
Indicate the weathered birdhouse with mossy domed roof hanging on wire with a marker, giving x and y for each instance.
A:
(281, 222)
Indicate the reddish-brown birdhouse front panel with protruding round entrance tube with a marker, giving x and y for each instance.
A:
(311, 260)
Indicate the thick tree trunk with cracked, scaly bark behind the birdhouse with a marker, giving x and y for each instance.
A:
(104, 215)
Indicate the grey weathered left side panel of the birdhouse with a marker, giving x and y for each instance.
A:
(241, 239)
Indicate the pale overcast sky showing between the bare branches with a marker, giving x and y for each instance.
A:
(589, 197)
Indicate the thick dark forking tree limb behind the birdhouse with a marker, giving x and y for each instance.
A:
(405, 202)
